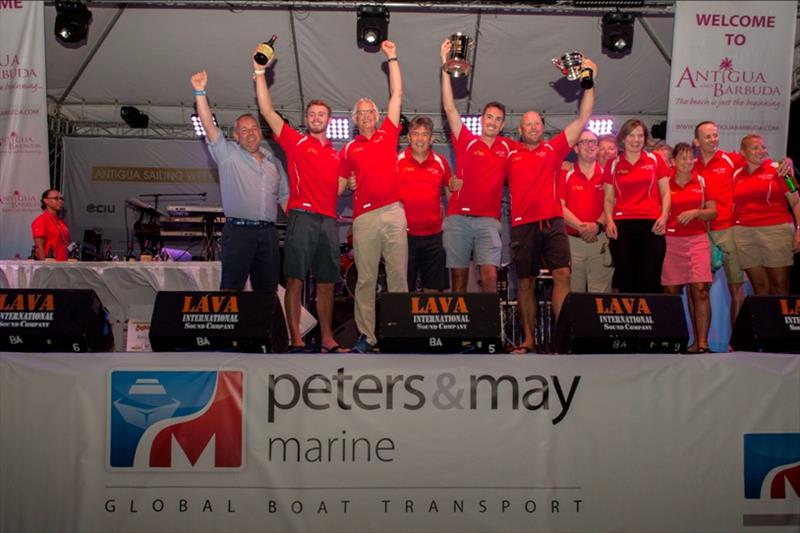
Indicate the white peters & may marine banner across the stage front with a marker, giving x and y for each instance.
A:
(224, 442)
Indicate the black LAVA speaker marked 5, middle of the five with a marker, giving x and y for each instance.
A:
(451, 322)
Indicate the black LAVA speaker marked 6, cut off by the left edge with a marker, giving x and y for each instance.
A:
(53, 320)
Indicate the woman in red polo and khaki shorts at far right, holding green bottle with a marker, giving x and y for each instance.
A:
(763, 232)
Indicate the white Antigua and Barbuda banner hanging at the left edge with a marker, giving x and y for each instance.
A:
(24, 170)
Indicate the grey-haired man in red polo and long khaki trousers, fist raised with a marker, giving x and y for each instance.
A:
(369, 162)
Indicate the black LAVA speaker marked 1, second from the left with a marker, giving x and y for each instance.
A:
(233, 321)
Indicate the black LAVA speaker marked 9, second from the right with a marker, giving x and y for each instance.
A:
(595, 323)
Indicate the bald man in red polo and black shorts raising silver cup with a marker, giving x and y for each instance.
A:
(537, 222)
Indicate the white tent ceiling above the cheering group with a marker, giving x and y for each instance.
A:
(143, 54)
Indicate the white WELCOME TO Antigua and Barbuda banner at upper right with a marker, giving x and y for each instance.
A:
(732, 63)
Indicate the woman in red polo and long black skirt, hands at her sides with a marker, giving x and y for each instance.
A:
(636, 204)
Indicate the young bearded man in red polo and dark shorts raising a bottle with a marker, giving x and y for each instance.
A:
(312, 240)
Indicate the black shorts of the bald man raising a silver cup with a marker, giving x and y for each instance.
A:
(543, 239)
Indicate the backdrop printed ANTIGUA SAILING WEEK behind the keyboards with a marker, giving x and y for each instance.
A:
(101, 173)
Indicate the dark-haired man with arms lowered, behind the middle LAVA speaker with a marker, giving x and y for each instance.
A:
(423, 175)
